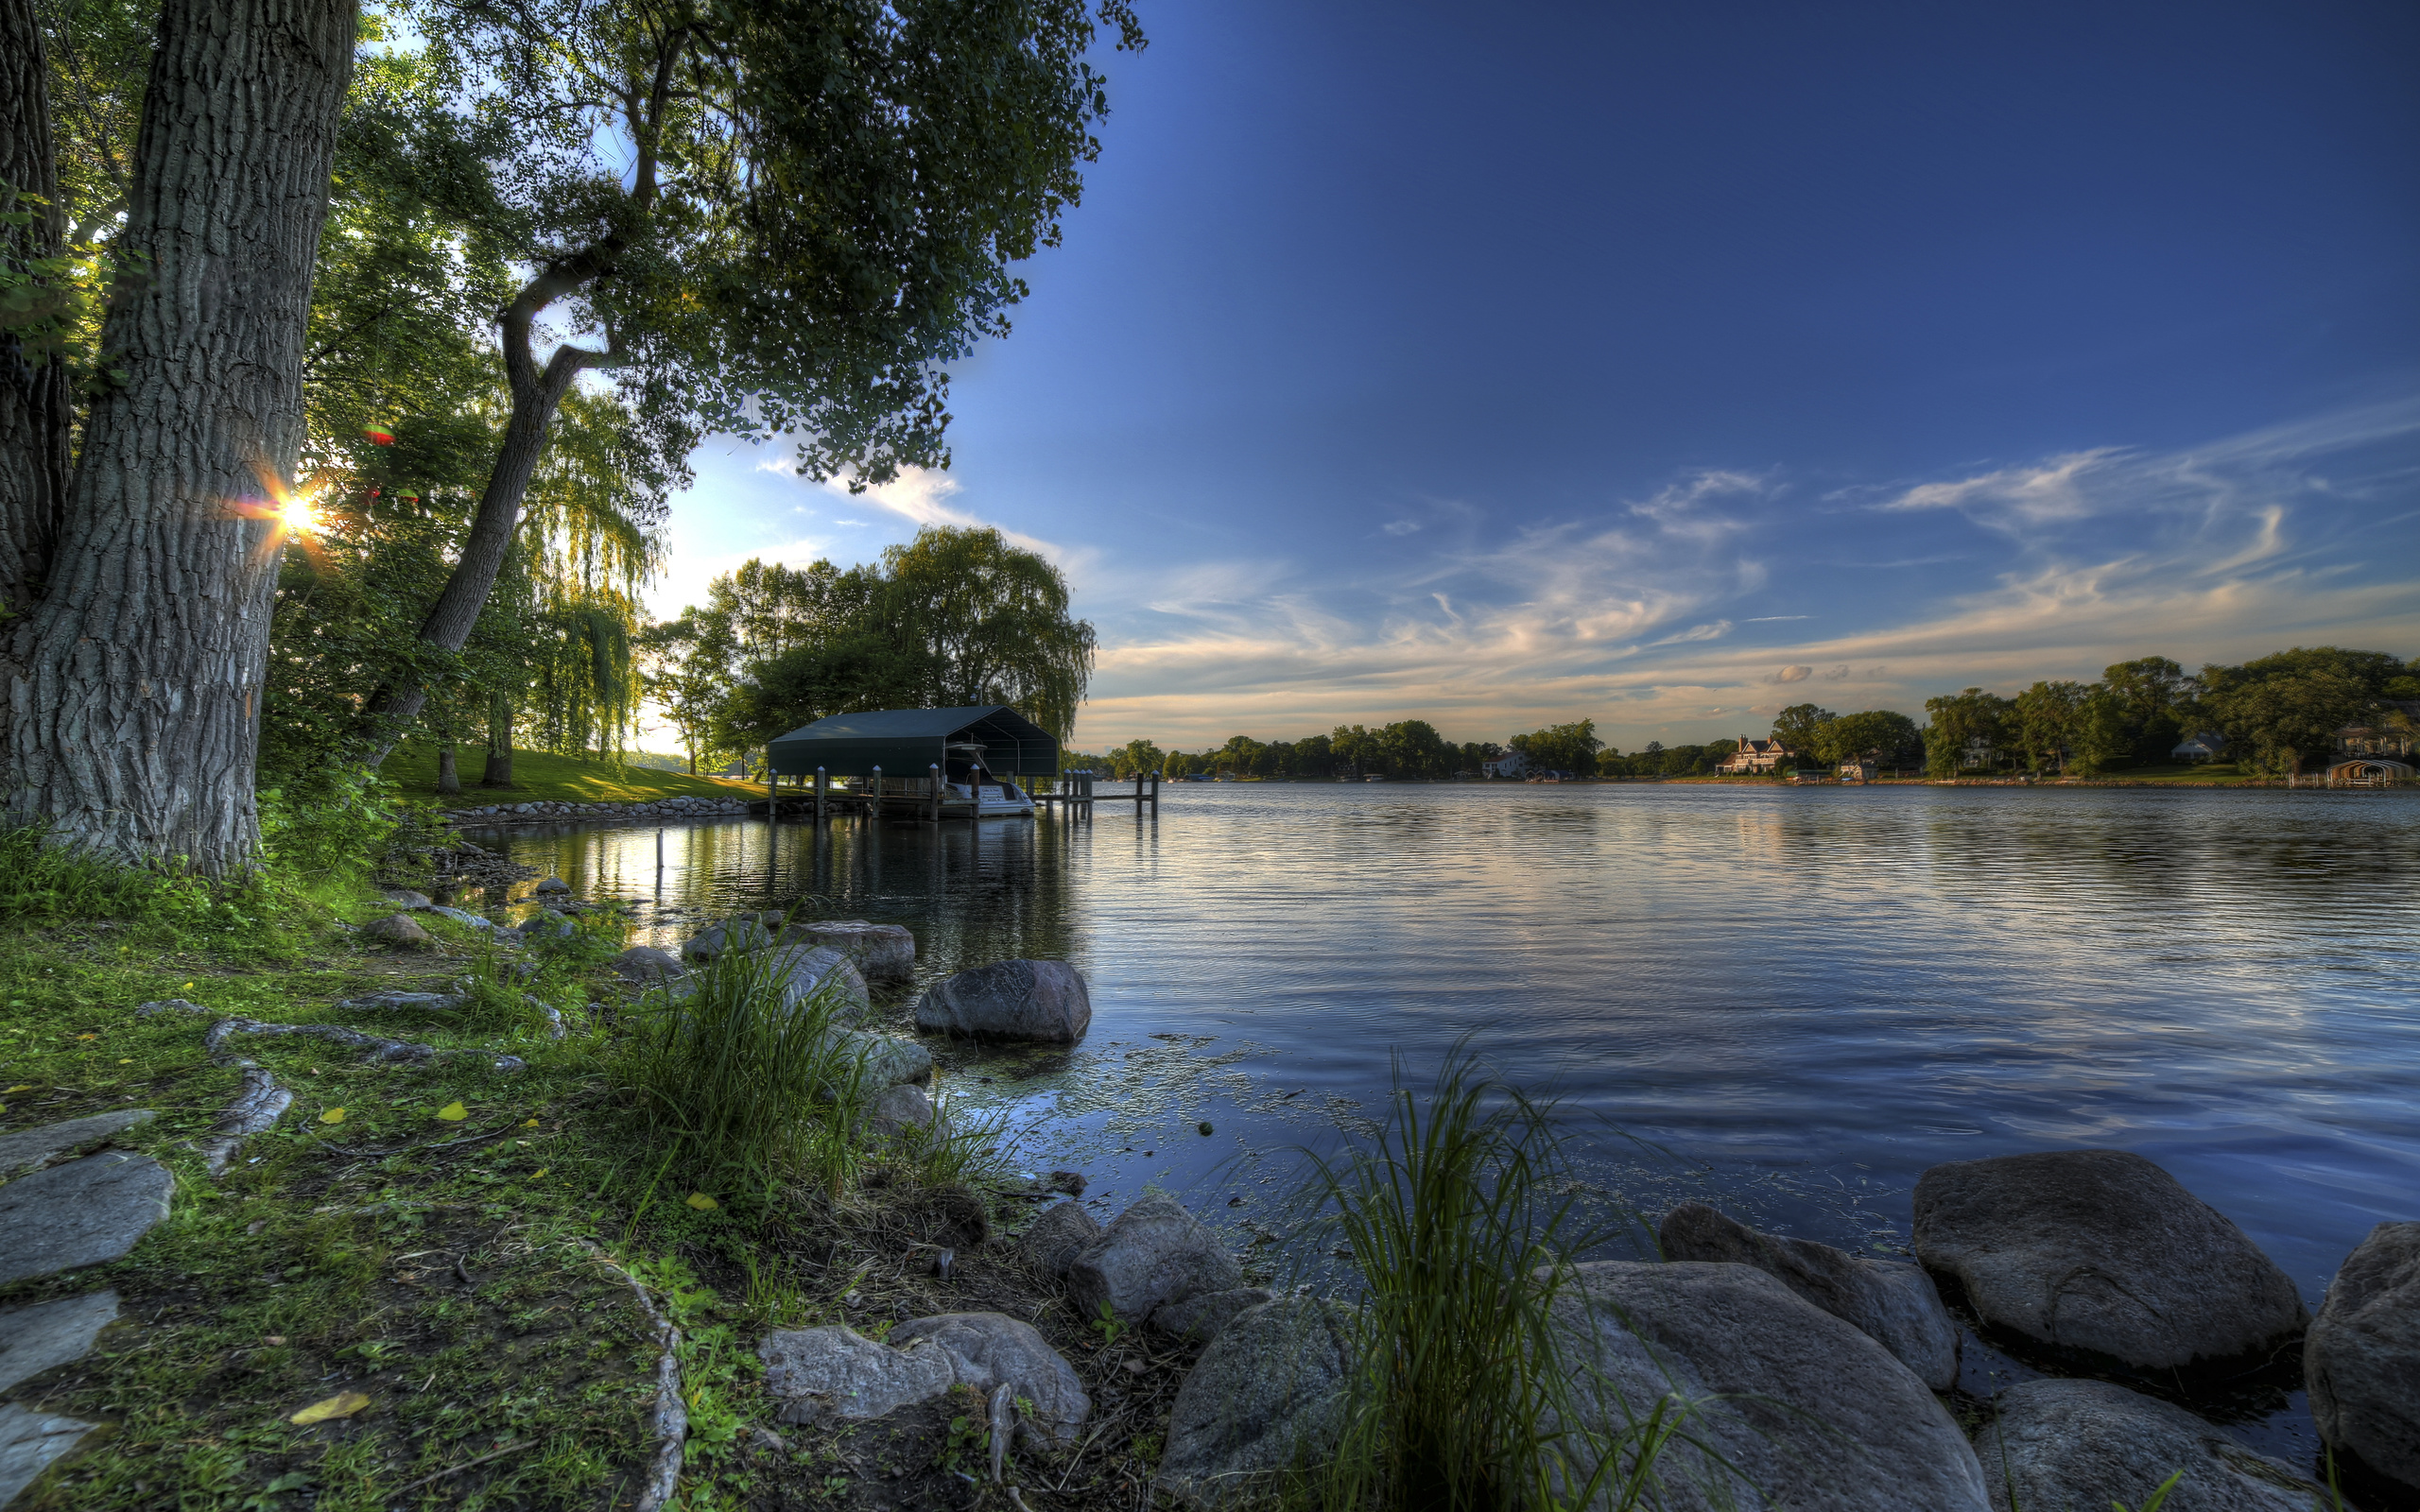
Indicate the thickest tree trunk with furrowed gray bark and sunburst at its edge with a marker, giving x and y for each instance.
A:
(134, 688)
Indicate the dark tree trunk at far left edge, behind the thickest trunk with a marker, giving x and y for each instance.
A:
(35, 400)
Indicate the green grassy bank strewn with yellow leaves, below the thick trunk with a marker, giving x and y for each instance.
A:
(446, 1252)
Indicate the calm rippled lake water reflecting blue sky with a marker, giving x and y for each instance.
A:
(1785, 1000)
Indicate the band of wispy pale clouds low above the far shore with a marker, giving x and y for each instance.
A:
(1632, 613)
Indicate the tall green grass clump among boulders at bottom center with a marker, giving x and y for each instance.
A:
(1463, 1220)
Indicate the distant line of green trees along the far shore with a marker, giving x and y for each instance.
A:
(2276, 715)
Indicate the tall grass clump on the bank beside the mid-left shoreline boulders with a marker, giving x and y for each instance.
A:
(737, 1083)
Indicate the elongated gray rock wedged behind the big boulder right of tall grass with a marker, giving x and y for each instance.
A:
(1894, 1305)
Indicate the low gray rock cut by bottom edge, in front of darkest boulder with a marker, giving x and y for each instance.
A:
(2082, 1445)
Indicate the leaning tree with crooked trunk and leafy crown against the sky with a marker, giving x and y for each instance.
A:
(809, 212)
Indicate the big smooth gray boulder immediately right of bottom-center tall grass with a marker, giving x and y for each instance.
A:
(1797, 1407)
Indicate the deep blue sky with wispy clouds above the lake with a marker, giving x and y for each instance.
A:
(1664, 367)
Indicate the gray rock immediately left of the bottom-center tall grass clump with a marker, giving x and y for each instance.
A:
(1267, 1395)
